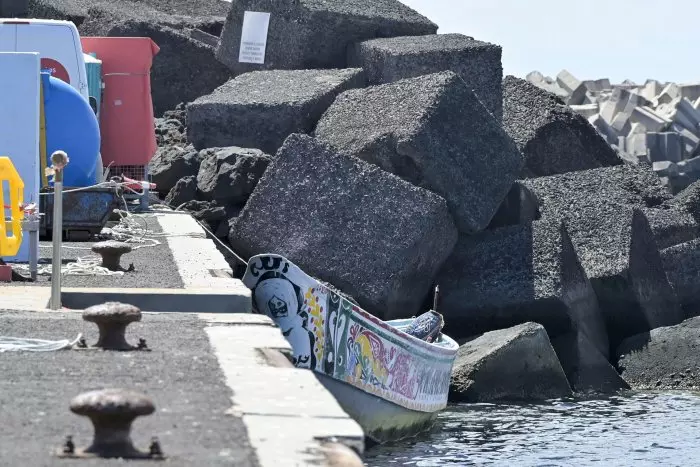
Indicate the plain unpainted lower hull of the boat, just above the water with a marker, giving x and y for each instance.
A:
(381, 420)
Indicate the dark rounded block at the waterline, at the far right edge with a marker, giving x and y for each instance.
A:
(665, 358)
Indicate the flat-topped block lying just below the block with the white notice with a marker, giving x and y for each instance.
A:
(260, 109)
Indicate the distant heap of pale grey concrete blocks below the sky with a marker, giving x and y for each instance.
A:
(654, 122)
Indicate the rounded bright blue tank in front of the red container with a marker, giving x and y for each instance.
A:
(71, 126)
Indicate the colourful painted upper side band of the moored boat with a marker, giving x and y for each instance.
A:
(332, 336)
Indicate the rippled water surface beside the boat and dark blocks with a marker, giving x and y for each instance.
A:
(635, 429)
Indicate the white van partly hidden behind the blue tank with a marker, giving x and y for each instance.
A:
(57, 42)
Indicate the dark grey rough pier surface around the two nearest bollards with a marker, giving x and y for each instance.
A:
(181, 374)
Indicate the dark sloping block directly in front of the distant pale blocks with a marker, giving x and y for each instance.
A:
(552, 137)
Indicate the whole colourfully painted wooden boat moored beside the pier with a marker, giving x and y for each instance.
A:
(392, 383)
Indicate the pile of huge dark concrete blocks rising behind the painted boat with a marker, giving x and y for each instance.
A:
(406, 160)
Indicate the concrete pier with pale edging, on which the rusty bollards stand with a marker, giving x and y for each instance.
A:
(224, 390)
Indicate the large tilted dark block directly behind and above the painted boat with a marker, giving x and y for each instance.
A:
(346, 222)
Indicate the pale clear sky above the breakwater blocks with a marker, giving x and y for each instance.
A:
(616, 39)
